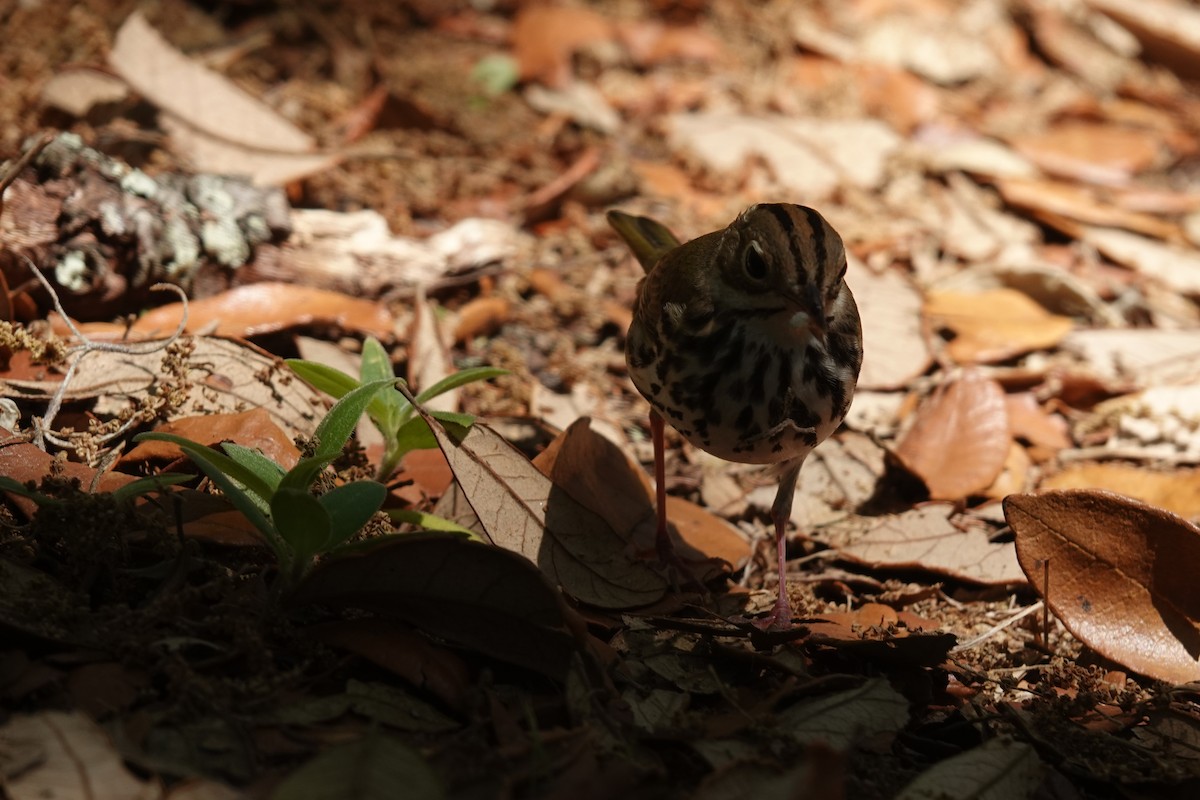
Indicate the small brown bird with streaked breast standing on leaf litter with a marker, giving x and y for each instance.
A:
(748, 341)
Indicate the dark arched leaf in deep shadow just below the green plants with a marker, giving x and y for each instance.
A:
(475, 596)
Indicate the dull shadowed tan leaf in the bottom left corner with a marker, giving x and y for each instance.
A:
(75, 760)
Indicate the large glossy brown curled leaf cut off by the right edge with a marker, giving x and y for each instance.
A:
(1121, 576)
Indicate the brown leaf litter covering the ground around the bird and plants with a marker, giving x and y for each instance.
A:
(1013, 187)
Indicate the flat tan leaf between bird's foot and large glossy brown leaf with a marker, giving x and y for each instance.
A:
(926, 539)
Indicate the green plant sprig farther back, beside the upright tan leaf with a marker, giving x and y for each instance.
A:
(391, 412)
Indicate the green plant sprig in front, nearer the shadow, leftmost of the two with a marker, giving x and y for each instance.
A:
(298, 525)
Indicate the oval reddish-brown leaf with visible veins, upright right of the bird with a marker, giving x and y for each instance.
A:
(959, 440)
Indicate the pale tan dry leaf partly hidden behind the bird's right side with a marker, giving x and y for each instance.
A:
(895, 350)
